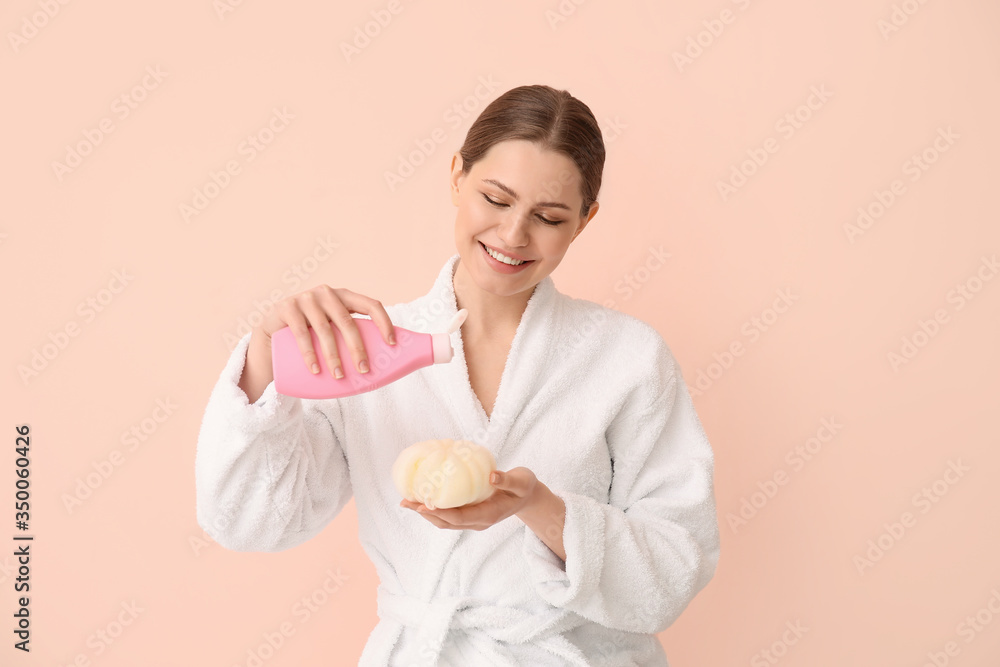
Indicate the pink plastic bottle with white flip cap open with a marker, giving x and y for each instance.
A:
(387, 363)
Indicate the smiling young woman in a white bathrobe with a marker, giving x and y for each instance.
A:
(602, 527)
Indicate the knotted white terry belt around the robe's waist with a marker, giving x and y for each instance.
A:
(434, 619)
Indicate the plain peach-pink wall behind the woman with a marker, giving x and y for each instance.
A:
(674, 131)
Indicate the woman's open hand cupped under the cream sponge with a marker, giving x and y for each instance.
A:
(513, 491)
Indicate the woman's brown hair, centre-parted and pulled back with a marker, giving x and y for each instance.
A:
(553, 119)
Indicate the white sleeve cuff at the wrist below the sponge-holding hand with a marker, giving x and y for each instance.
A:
(583, 540)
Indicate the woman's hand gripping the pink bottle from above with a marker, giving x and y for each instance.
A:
(321, 308)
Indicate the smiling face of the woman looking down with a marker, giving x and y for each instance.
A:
(522, 201)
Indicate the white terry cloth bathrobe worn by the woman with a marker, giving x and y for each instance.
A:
(591, 400)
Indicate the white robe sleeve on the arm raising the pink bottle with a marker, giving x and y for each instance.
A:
(268, 475)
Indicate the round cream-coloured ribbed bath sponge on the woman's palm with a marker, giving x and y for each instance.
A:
(444, 473)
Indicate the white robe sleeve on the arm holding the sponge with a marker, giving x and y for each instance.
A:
(635, 563)
